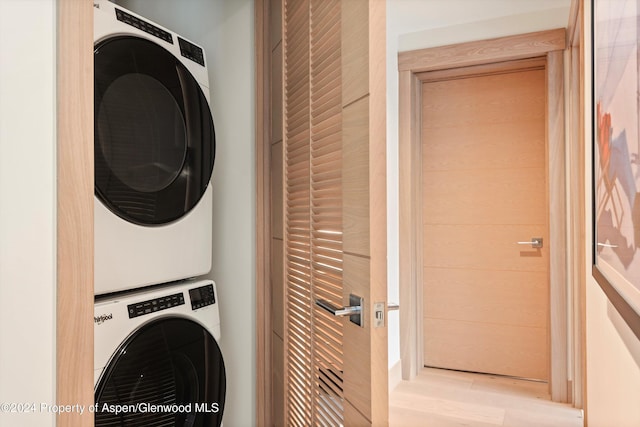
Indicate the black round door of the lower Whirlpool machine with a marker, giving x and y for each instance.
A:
(168, 373)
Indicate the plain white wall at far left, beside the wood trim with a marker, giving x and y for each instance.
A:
(27, 209)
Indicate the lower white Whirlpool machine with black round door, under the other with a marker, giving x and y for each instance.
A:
(157, 360)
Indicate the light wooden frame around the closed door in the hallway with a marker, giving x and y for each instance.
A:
(549, 45)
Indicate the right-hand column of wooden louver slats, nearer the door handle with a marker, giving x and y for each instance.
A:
(326, 201)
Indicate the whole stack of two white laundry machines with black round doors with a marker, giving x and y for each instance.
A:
(157, 360)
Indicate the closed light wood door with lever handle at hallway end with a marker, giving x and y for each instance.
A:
(486, 297)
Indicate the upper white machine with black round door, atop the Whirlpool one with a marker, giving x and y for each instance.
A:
(154, 153)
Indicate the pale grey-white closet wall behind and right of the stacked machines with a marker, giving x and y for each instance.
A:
(225, 29)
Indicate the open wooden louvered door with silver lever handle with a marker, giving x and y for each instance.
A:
(334, 210)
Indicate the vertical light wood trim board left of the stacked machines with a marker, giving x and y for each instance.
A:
(74, 324)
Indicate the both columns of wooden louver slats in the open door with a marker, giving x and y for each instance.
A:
(313, 206)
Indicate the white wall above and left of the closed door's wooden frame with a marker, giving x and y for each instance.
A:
(418, 24)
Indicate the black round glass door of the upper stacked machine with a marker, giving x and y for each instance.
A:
(154, 138)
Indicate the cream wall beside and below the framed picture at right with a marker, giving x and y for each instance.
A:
(613, 351)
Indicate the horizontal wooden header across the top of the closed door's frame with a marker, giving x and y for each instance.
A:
(477, 52)
